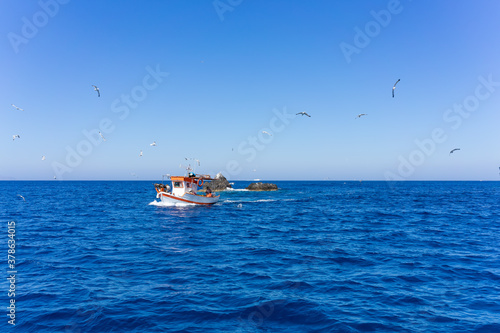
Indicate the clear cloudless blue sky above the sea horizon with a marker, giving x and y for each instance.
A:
(204, 79)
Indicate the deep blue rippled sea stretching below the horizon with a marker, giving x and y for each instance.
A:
(102, 256)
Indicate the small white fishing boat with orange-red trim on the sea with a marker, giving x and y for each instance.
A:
(185, 190)
